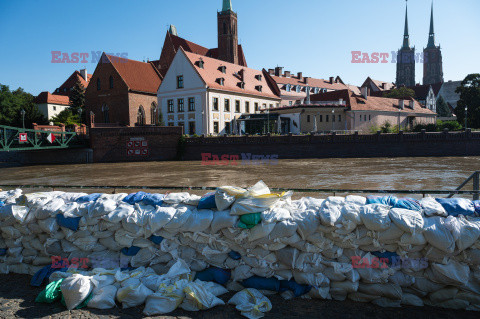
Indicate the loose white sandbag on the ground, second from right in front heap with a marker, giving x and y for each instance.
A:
(198, 297)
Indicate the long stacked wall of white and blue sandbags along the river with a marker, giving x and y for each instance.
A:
(383, 250)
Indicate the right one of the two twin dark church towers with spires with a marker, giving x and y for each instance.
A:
(432, 59)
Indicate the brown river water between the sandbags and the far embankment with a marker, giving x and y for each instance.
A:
(428, 173)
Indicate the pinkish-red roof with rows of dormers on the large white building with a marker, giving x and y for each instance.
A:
(210, 73)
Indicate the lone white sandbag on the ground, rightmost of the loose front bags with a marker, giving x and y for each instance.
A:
(251, 303)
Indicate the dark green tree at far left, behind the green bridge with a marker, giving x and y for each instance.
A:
(11, 105)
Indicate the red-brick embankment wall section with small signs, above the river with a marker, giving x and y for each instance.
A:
(110, 144)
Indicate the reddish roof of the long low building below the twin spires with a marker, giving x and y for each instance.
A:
(372, 103)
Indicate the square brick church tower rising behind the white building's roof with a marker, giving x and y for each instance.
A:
(227, 34)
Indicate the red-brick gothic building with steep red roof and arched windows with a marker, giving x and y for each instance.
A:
(123, 92)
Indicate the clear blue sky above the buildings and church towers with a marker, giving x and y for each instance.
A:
(315, 37)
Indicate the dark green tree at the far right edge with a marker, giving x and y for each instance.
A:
(469, 92)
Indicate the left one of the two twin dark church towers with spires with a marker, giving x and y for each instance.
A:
(406, 59)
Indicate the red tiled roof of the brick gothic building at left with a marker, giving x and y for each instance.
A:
(138, 76)
